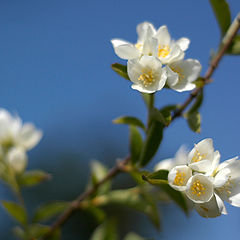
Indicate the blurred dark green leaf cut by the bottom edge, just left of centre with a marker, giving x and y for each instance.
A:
(106, 231)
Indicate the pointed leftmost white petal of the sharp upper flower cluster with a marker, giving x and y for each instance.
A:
(125, 50)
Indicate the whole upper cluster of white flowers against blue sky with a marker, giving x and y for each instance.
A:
(155, 48)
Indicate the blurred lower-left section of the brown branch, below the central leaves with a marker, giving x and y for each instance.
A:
(119, 167)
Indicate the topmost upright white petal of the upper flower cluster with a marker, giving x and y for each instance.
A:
(145, 30)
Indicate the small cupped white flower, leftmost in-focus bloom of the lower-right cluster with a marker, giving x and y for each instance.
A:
(179, 176)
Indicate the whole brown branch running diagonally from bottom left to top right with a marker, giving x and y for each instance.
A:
(120, 165)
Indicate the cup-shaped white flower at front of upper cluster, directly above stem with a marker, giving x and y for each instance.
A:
(147, 74)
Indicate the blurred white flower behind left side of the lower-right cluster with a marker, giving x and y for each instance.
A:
(180, 158)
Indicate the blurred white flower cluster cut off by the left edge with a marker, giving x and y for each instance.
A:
(16, 139)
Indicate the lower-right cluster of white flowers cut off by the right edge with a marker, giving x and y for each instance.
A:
(205, 181)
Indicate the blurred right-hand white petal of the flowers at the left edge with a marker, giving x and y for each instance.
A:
(29, 136)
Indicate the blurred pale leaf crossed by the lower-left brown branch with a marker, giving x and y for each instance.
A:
(98, 172)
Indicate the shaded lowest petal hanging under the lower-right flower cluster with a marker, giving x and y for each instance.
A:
(214, 208)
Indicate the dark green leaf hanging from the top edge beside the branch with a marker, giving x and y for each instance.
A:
(222, 13)
